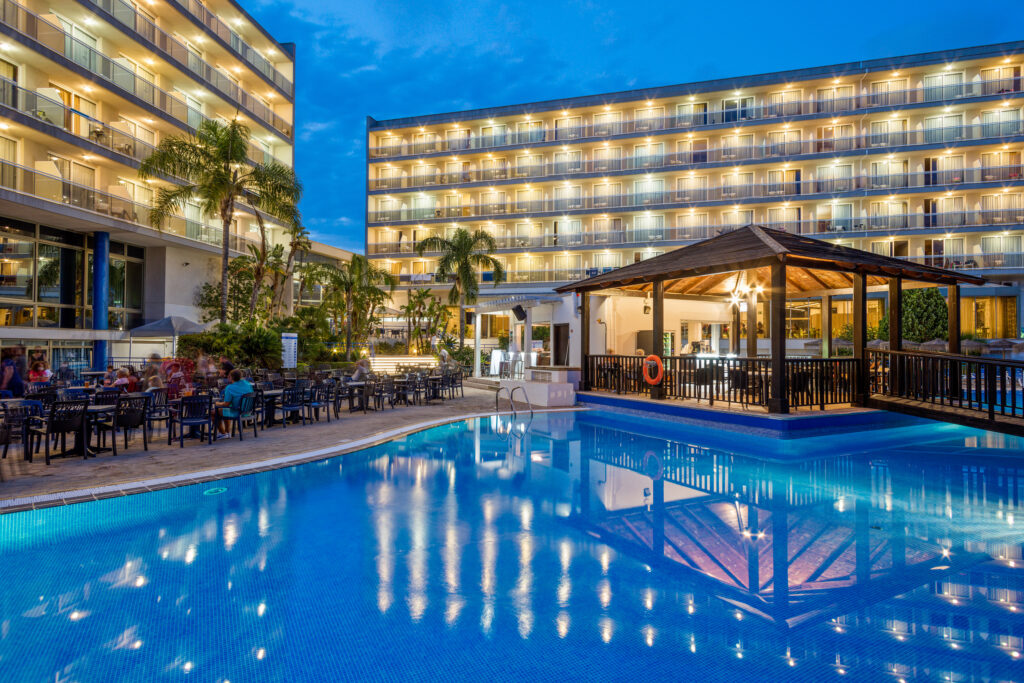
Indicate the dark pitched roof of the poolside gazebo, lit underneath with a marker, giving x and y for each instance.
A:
(719, 266)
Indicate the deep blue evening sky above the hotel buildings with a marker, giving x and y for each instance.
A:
(407, 58)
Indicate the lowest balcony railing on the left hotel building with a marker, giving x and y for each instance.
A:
(60, 191)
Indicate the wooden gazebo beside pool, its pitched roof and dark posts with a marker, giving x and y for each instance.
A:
(755, 262)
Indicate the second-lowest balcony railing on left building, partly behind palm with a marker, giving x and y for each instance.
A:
(55, 113)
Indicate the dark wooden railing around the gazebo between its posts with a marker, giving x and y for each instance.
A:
(812, 382)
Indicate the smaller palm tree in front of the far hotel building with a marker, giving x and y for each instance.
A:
(461, 257)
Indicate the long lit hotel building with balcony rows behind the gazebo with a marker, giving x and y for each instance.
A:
(917, 157)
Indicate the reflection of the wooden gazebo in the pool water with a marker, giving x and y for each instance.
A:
(773, 546)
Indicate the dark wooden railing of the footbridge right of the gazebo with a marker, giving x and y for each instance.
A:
(990, 388)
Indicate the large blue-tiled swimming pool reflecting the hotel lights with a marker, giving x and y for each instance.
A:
(577, 546)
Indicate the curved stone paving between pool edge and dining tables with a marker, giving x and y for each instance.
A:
(20, 479)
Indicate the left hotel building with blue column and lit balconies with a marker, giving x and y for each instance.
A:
(88, 89)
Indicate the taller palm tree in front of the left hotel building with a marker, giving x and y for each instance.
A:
(217, 174)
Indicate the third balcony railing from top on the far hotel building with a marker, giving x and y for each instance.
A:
(687, 197)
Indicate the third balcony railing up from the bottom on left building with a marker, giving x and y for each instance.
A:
(55, 38)
